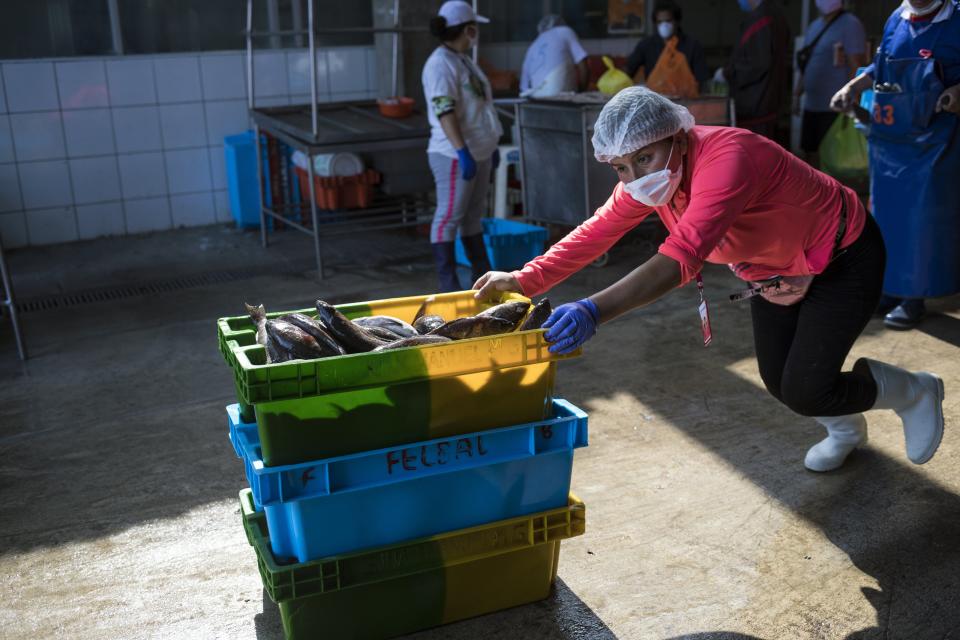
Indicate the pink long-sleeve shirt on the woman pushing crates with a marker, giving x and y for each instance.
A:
(744, 201)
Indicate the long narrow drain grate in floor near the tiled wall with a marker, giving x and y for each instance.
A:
(123, 292)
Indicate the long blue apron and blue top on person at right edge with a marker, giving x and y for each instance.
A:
(915, 164)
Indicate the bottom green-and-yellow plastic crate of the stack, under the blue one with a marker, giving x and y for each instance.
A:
(402, 588)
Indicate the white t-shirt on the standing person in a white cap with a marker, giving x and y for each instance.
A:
(452, 82)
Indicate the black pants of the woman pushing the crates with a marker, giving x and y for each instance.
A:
(801, 348)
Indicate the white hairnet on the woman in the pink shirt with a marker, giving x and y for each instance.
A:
(634, 118)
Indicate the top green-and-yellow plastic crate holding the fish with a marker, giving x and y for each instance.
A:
(311, 409)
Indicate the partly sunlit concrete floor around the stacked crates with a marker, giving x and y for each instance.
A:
(118, 510)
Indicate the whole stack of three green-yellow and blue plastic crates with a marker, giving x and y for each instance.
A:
(395, 491)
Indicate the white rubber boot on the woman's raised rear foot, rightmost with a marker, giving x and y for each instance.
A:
(918, 399)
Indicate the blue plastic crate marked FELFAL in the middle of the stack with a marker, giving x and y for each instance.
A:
(350, 503)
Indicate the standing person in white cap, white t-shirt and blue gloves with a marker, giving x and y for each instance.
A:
(464, 134)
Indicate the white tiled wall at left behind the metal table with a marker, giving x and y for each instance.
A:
(111, 146)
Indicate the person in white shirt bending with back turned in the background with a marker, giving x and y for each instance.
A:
(556, 61)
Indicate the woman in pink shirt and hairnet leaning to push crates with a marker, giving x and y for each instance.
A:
(813, 258)
